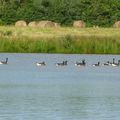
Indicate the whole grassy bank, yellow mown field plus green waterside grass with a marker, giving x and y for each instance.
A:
(60, 40)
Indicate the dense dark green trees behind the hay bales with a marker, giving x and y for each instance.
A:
(93, 12)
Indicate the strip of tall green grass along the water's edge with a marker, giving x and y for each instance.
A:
(65, 44)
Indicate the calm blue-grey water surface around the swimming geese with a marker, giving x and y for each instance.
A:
(28, 92)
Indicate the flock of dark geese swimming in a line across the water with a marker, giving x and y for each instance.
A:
(82, 63)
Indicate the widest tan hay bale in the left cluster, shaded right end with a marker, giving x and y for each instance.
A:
(44, 24)
